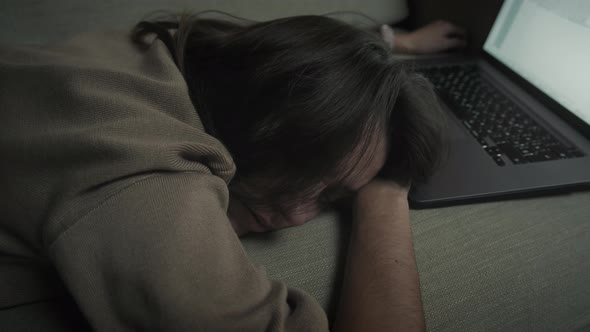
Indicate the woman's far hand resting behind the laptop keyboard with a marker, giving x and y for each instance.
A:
(435, 37)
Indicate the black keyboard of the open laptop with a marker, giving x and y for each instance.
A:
(500, 126)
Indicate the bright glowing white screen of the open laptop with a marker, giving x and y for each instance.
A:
(547, 42)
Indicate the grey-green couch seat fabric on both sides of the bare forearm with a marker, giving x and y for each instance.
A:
(519, 265)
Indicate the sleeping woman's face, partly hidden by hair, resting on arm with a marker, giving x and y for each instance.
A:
(246, 219)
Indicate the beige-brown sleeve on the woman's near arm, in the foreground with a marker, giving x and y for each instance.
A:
(160, 254)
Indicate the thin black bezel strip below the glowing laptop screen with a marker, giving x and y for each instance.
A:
(565, 114)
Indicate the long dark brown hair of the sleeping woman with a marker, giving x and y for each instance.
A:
(290, 98)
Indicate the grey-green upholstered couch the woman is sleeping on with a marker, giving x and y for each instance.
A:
(514, 265)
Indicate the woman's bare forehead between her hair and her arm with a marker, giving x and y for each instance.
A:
(364, 163)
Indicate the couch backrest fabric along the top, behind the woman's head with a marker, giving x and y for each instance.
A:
(39, 22)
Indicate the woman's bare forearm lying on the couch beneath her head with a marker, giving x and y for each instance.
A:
(381, 287)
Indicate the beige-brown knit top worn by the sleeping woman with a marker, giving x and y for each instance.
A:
(110, 185)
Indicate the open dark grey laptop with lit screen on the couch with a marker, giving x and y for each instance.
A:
(519, 115)
